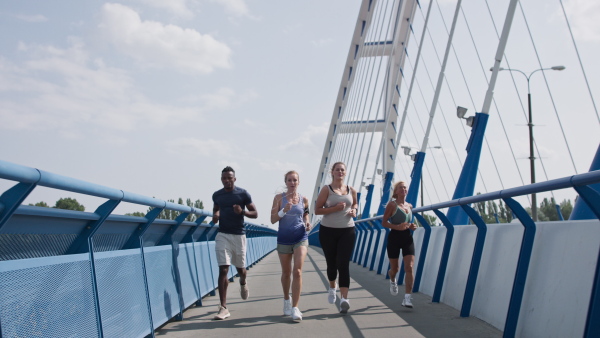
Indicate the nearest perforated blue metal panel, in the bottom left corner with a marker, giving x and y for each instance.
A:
(47, 297)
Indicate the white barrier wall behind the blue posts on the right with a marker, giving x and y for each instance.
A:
(559, 281)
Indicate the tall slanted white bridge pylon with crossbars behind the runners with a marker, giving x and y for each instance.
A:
(364, 123)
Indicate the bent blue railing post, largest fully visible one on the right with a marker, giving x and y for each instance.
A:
(516, 297)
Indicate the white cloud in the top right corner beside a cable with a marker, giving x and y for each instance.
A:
(583, 16)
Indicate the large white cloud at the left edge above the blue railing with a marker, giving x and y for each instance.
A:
(61, 89)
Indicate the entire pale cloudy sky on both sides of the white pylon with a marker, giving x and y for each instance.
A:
(157, 97)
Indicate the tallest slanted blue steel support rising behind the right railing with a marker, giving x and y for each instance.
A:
(468, 175)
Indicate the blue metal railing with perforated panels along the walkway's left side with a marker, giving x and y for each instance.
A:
(70, 273)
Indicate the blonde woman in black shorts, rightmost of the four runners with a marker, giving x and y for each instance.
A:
(397, 217)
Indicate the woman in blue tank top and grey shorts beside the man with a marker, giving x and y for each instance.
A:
(290, 209)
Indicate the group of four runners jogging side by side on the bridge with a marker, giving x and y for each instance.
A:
(338, 204)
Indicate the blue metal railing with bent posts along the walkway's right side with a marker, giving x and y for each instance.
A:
(580, 183)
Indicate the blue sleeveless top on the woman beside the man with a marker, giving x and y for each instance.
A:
(291, 227)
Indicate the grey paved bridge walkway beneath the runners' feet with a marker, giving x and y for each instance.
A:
(374, 312)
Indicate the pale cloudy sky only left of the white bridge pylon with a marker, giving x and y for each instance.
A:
(157, 97)
